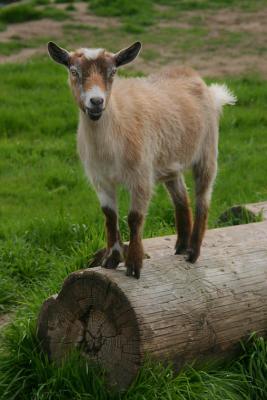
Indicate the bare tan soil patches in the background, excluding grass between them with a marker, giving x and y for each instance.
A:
(232, 59)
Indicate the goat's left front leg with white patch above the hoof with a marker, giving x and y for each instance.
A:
(113, 254)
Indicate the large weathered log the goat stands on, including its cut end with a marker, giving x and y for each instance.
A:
(176, 311)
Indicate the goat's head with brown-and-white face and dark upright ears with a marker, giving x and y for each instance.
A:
(91, 73)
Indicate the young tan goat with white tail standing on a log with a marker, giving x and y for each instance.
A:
(138, 131)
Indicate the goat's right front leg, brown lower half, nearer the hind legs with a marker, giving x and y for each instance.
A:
(140, 196)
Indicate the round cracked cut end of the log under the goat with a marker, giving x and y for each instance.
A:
(92, 314)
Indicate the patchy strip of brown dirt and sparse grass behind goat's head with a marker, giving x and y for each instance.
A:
(227, 41)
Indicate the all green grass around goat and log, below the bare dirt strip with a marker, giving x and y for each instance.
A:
(51, 224)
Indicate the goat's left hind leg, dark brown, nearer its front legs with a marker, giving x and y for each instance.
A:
(183, 215)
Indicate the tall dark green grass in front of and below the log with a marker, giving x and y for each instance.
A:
(26, 373)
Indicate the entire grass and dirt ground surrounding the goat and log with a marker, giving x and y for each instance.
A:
(50, 219)
